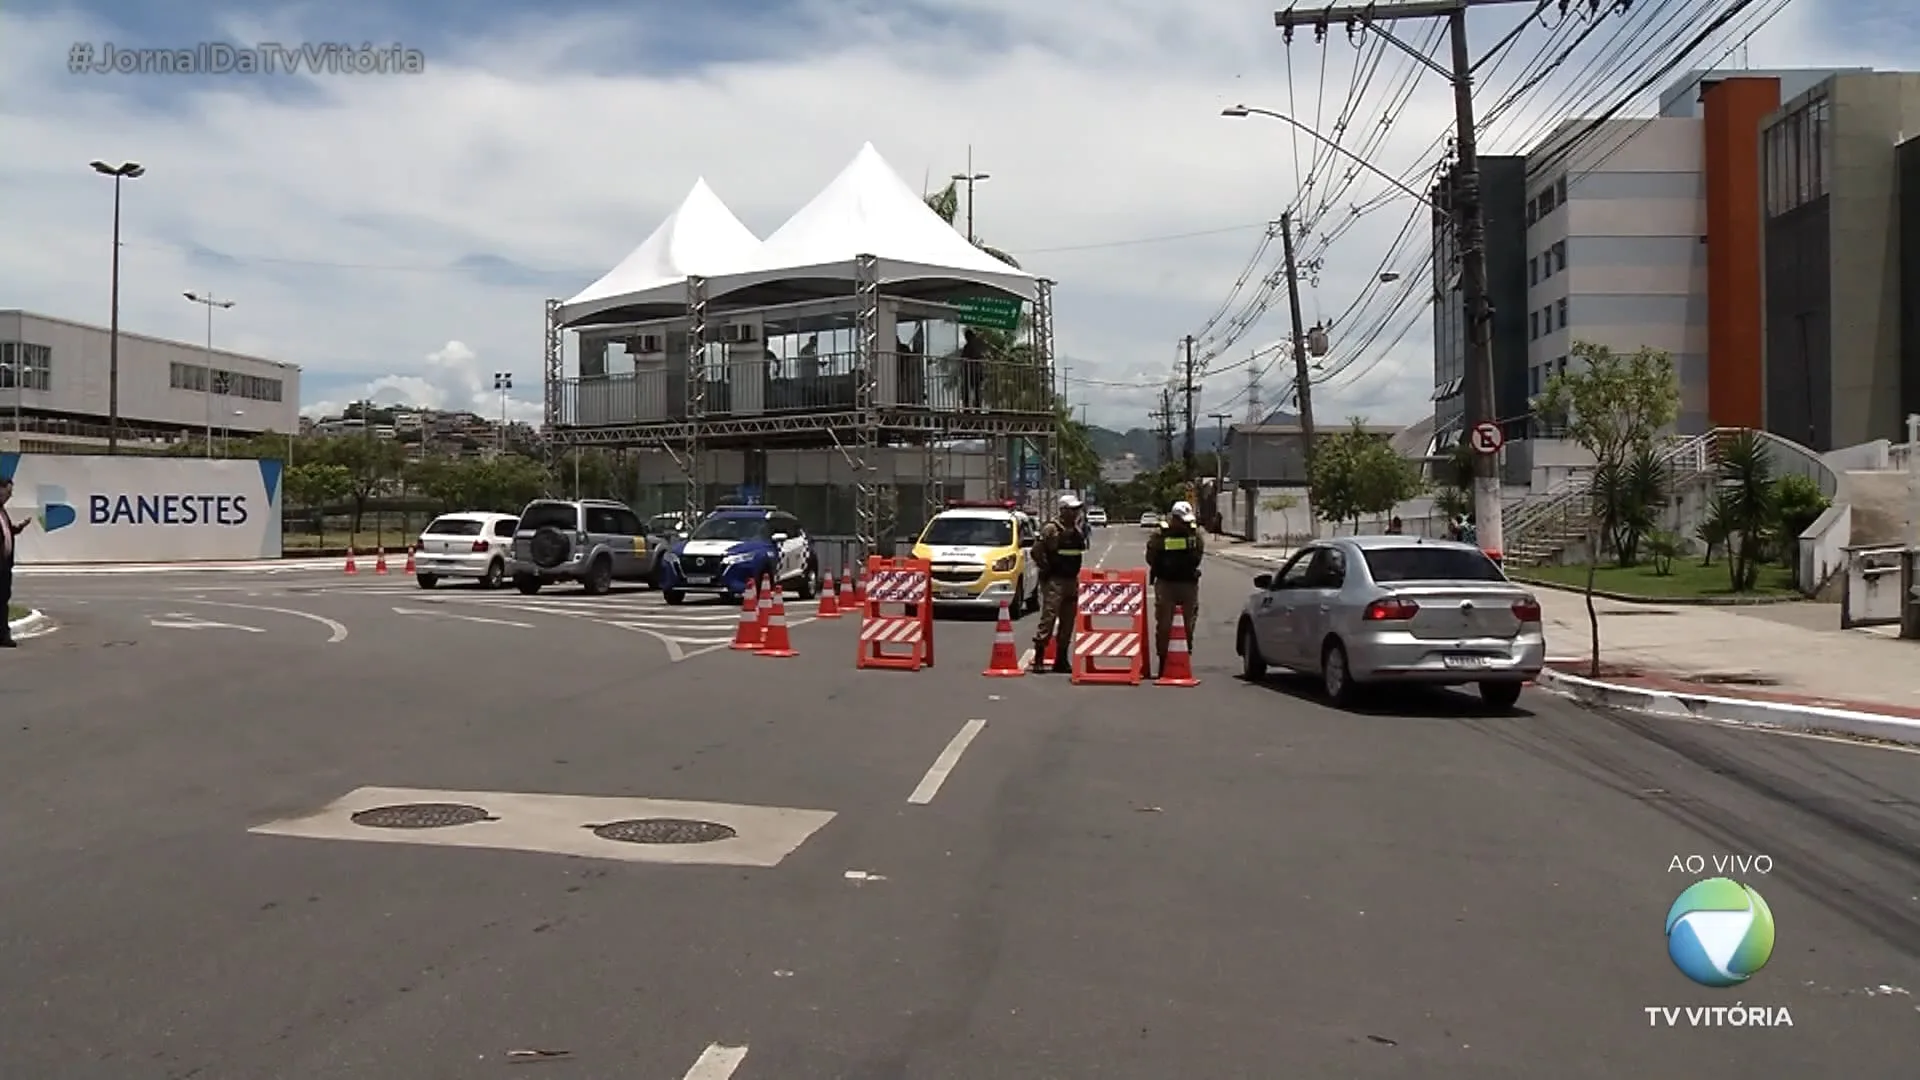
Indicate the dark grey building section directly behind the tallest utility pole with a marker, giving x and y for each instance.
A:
(1504, 209)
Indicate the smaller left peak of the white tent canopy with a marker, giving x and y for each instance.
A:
(702, 237)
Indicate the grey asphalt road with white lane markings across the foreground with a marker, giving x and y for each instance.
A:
(1107, 883)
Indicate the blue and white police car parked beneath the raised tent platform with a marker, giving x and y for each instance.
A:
(740, 545)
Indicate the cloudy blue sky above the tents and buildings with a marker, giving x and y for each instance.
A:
(398, 235)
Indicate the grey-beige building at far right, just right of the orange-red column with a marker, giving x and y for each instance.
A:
(1836, 301)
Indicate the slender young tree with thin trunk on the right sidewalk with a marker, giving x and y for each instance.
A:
(1614, 406)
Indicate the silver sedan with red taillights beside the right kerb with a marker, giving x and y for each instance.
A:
(1368, 610)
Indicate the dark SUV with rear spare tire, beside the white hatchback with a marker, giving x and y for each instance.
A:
(594, 543)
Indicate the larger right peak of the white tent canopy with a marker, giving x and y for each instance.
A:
(869, 210)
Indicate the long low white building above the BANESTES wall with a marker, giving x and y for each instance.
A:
(55, 385)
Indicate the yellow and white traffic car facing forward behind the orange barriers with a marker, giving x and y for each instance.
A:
(982, 554)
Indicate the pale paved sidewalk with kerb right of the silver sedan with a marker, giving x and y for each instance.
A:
(1735, 664)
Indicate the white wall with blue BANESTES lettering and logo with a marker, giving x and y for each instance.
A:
(143, 510)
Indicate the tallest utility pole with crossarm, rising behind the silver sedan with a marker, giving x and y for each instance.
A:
(1470, 228)
